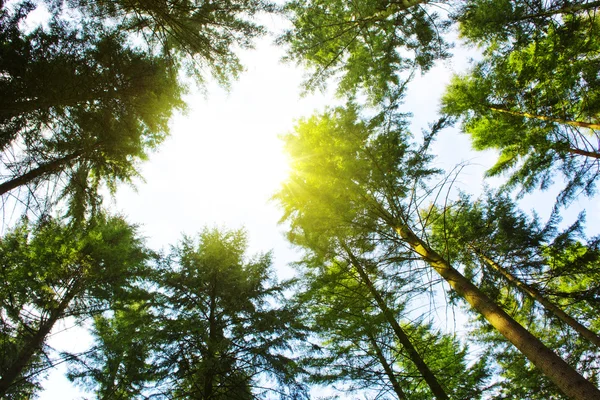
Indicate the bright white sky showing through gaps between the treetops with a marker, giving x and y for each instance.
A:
(224, 161)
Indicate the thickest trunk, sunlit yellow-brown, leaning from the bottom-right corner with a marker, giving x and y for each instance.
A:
(567, 379)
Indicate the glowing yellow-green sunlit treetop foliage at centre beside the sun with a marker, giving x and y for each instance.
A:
(348, 175)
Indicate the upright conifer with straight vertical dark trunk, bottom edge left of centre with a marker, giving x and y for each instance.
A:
(222, 333)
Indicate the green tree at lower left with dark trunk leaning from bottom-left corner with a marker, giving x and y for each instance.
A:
(51, 271)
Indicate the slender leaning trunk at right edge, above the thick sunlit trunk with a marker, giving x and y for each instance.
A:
(537, 296)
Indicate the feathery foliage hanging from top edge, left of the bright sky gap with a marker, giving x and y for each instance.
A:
(202, 35)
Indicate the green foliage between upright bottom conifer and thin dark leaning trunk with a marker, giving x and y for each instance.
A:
(345, 321)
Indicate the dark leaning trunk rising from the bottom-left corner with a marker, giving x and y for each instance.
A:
(33, 344)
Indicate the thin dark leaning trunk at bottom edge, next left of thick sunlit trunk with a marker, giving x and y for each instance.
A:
(403, 338)
